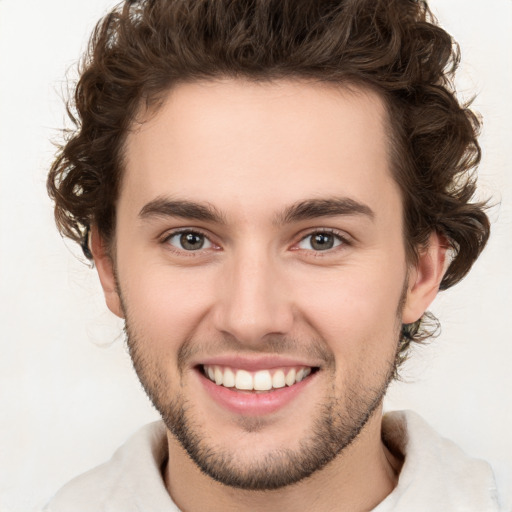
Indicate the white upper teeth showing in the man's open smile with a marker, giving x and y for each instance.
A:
(262, 380)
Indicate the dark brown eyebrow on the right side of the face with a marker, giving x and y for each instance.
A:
(314, 208)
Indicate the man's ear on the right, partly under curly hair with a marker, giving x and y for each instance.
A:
(425, 278)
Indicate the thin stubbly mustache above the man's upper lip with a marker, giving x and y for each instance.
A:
(315, 349)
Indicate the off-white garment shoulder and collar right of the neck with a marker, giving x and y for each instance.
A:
(436, 474)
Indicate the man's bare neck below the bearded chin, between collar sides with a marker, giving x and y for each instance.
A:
(358, 479)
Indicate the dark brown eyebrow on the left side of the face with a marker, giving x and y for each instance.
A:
(162, 207)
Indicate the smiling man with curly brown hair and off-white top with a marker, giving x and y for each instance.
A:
(273, 193)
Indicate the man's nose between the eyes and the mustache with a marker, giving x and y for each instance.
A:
(254, 299)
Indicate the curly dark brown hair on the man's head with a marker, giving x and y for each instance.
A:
(144, 47)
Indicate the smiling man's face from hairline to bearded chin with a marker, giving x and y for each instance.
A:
(261, 271)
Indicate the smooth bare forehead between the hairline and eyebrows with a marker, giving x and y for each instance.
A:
(238, 143)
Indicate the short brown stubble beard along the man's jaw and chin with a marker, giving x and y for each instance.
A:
(338, 421)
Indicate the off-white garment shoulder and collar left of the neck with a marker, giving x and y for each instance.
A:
(130, 481)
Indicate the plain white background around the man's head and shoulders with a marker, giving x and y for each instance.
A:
(68, 396)
